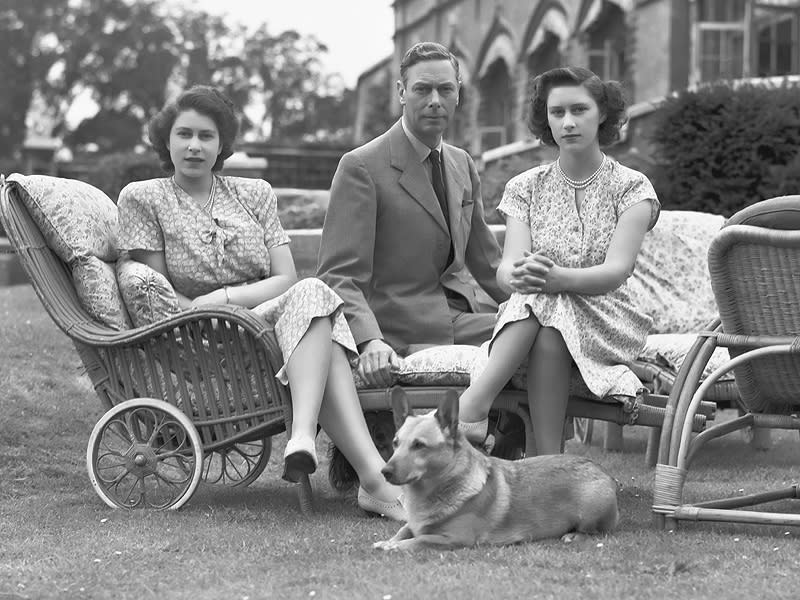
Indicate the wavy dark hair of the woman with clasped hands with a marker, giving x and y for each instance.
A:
(608, 95)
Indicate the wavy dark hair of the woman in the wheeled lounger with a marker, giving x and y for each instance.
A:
(206, 100)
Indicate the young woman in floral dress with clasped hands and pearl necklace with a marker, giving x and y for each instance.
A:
(573, 230)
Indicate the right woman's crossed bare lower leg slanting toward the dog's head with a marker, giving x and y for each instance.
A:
(509, 349)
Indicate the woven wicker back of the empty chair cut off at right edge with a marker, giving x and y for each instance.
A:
(755, 275)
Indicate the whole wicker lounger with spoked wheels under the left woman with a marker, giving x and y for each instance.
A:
(190, 398)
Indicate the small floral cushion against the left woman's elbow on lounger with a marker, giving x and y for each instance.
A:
(147, 294)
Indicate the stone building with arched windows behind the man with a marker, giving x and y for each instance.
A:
(652, 46)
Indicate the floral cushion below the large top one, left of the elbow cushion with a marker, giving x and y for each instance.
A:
(96, 286)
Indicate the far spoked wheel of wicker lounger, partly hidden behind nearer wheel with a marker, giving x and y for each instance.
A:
(237, 465)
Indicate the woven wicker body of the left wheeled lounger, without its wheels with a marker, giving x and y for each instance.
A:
(218, 368)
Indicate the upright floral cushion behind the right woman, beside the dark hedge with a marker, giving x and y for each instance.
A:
(671, 281)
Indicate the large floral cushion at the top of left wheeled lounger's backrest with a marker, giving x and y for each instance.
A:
(76, 219)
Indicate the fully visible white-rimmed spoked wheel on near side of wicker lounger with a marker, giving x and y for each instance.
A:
(144, 453)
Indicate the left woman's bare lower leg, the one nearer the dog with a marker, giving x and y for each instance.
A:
(343, 420)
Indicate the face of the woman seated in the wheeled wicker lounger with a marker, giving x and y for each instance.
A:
(194, 144)
